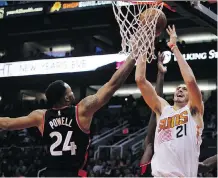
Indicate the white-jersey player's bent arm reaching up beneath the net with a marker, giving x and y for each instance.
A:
(148, 92)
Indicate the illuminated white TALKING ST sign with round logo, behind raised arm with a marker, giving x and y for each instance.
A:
(212, 54)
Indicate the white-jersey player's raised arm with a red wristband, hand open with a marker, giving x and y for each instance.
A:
(195, 97)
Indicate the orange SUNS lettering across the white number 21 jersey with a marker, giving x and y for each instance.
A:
(175, 120)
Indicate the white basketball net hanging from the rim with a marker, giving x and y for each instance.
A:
(137, 37)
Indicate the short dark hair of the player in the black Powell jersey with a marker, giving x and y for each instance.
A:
(55, 91)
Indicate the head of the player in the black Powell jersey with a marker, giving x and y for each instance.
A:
(59, 93)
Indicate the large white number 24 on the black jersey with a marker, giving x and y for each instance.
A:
(67, 146)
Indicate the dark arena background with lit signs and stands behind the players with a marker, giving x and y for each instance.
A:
(46, 30)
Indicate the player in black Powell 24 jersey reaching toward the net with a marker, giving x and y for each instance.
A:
(65, 127)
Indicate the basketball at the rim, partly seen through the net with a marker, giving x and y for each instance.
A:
(149, 15)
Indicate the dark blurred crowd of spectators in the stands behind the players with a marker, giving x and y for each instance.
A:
(21, 152)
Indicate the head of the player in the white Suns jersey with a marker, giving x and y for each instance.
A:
(181, 94)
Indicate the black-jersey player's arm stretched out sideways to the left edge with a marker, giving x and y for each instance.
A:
(34, 119)
